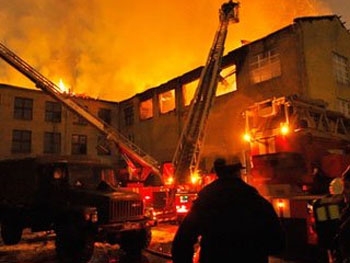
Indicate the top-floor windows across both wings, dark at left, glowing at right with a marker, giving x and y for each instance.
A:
(263, 66)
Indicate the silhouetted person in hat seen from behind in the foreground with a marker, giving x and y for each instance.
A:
(232, 221)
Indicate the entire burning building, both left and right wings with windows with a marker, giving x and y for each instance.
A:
(309, 58)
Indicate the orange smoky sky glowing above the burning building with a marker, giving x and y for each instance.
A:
(112, 49)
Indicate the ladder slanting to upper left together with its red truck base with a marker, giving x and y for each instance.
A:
(129, 151)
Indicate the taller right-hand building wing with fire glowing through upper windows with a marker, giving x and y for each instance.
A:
(309, 58)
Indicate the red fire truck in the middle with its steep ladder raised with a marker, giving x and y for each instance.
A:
(171, 199)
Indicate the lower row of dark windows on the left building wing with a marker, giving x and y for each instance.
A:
(22, 143)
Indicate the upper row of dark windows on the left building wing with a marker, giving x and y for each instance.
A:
(23, 110)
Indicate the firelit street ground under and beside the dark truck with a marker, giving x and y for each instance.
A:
(40, 248)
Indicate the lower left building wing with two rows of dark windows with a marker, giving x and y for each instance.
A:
(33, 123)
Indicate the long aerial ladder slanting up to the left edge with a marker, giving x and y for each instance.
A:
(128, 148)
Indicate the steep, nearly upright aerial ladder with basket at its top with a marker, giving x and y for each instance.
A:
(187, 154)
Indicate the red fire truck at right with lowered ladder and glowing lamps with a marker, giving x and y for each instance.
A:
(287, 136)
